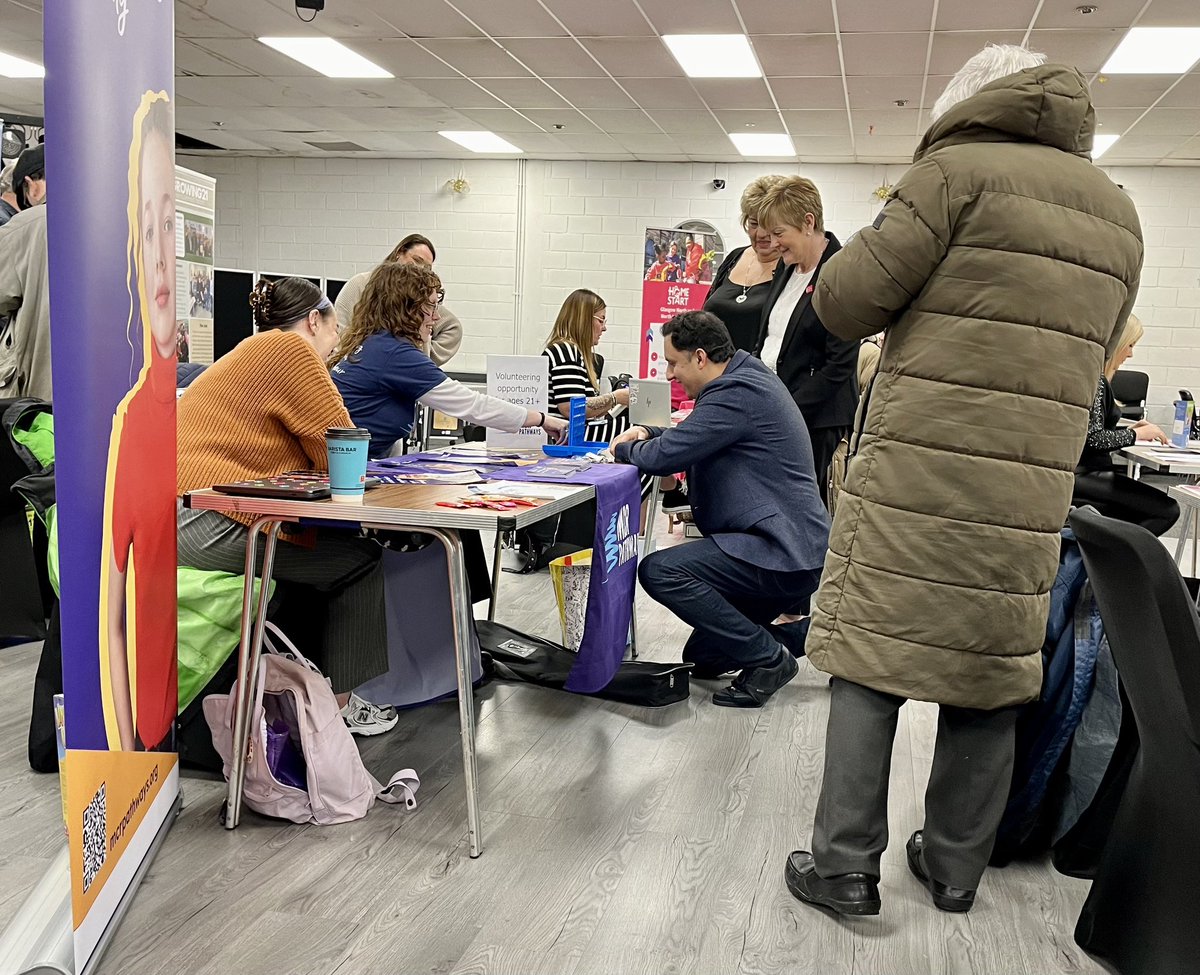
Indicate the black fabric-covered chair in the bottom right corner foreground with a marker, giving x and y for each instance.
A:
(1143, 914)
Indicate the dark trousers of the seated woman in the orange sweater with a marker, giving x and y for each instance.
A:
(345, 570)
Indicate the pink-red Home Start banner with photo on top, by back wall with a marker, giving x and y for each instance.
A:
(677, 273)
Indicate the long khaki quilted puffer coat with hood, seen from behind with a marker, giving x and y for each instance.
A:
(1001, 268)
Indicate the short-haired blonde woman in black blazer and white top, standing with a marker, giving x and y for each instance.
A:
(817, 367)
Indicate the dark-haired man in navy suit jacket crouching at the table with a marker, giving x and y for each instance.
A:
(754, 495)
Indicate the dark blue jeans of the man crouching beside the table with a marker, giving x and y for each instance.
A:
(728, 602)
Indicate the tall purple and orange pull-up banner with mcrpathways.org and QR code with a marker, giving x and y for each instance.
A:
(110, 109)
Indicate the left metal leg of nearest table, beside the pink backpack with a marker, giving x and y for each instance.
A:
(248, 660)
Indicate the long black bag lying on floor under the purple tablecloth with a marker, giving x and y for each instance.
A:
(519, 657)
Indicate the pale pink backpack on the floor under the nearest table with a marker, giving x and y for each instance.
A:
(297, 731)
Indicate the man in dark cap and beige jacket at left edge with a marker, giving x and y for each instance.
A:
(26, 286)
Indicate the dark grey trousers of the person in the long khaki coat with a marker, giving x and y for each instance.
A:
(964, 803)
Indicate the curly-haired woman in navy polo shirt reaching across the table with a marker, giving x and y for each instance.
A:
(382, 369)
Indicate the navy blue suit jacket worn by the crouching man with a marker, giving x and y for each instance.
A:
(749, 464)
